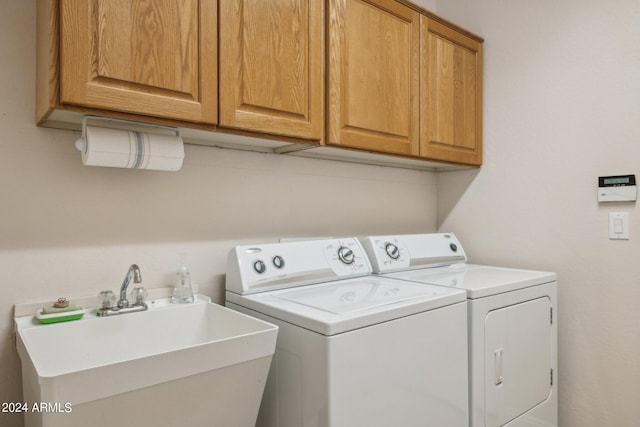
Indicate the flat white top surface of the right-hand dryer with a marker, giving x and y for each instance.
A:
(478, 280)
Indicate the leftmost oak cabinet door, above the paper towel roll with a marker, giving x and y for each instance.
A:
(154, 58)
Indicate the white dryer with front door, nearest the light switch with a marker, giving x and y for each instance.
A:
(512, 326)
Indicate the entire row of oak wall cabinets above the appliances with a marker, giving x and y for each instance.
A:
(396, 79)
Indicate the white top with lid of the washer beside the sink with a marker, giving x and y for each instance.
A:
(340, 306)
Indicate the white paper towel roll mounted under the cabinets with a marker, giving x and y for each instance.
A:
(131, 149)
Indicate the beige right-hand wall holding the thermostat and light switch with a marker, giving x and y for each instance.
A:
(561, 107)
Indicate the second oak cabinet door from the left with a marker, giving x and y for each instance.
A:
(271, 66)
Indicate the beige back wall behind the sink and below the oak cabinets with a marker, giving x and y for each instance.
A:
(71, 230)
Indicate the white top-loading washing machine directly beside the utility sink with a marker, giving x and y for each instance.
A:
(353, 350)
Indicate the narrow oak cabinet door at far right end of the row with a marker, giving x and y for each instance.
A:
(451, 95)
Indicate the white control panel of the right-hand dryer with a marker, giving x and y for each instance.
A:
(409, 251)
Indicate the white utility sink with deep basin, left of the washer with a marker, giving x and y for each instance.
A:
(199, 345)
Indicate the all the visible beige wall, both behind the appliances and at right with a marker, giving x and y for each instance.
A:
(562, 93)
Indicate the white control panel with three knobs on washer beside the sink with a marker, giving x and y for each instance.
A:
(258, 268)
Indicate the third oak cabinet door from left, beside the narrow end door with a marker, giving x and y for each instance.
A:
(374, 60)
